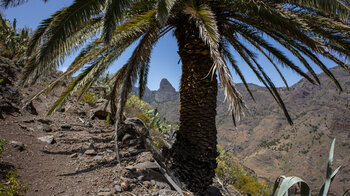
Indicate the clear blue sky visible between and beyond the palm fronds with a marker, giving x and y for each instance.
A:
(164, 61)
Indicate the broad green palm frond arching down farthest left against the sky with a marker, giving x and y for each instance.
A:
(65, 25)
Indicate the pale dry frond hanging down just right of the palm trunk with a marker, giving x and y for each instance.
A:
(208, 31)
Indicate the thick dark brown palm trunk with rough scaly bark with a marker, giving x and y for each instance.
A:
(194, 152)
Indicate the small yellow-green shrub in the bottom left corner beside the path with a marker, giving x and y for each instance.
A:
(13, 187)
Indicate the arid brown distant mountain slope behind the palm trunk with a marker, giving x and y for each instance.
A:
(265, 141)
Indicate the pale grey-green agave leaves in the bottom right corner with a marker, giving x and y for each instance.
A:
(283, 183)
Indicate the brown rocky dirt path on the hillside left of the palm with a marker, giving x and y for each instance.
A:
(69, 154)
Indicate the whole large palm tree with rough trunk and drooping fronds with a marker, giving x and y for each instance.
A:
(205, 31)
